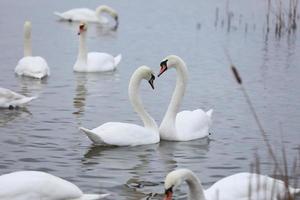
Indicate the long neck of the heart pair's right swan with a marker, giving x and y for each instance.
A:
(181, 79)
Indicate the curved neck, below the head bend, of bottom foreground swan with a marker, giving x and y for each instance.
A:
(196, 191)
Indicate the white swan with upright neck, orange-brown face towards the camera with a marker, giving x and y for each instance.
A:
(93, 61)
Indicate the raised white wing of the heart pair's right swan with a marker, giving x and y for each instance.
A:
(193, 124)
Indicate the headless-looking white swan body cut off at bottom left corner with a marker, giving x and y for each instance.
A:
(36, 185)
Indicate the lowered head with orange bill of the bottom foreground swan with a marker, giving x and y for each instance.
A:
(173, 180)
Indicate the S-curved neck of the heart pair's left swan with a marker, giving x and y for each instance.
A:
(134, 97)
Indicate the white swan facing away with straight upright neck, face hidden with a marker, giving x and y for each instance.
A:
(31, 66)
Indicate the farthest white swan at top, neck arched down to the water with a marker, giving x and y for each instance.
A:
(88, 15)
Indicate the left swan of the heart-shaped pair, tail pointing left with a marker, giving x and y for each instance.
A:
(125, 134)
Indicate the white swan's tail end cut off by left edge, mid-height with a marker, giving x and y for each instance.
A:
(10, 99)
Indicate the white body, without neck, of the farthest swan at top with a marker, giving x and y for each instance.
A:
(78, 14)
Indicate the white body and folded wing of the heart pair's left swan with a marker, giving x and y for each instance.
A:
(123, 134)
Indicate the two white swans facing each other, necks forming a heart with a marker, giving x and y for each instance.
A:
(182, 126)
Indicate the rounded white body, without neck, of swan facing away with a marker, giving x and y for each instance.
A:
(35, 67)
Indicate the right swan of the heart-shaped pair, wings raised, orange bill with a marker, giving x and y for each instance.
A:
(185, 125)
